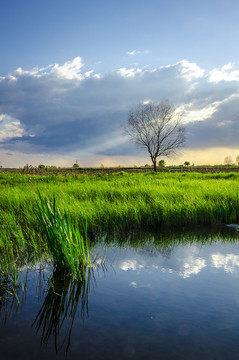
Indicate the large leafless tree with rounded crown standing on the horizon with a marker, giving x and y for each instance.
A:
(157, 127)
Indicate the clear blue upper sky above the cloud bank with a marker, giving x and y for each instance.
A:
(101, 32)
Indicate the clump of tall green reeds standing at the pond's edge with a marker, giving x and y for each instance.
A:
(68, 246)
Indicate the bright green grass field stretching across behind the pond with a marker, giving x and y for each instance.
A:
(121, 200)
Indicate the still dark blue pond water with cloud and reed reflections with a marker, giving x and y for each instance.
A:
(162, 296)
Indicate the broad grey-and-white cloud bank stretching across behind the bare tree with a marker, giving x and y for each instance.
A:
(63, 109)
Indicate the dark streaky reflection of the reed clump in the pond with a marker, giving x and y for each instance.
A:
(65, 295)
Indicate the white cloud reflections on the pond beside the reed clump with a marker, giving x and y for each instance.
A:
(184, 261)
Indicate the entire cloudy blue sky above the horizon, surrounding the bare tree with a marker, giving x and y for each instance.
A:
(70, 71)
